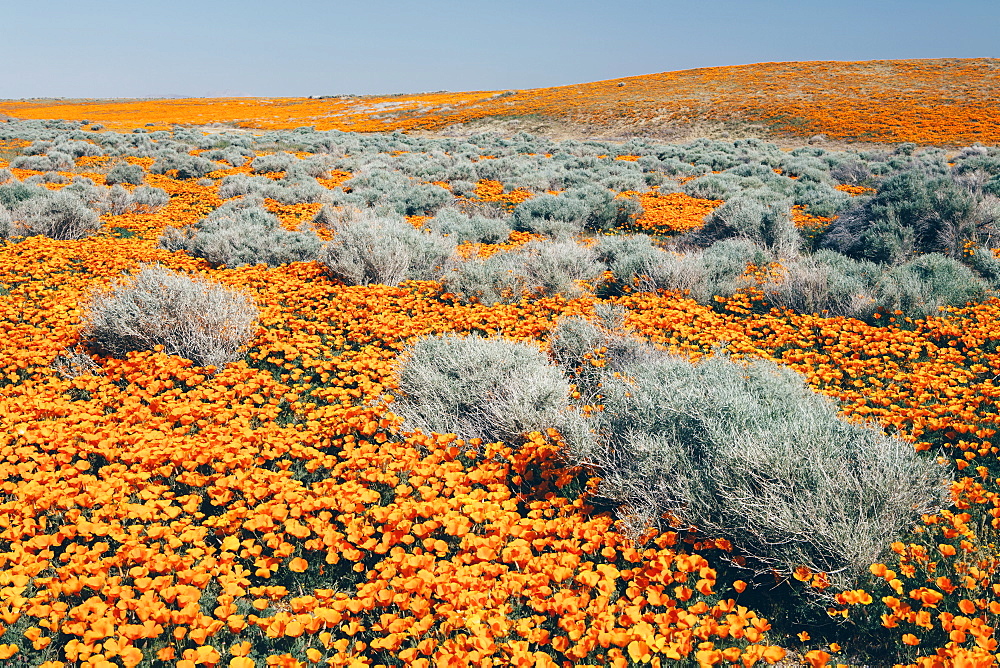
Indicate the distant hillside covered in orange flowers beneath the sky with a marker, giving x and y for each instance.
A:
(935, 101)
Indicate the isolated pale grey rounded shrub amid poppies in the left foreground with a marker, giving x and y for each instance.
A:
(191, 317)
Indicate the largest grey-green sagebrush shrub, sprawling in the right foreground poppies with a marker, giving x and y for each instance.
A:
(748, 452)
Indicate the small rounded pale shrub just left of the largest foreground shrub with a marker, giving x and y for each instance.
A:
(493, 389)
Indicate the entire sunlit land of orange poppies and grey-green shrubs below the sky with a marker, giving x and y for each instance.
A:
(286, 397)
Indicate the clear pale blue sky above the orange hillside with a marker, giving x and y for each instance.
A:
(152, 48)
